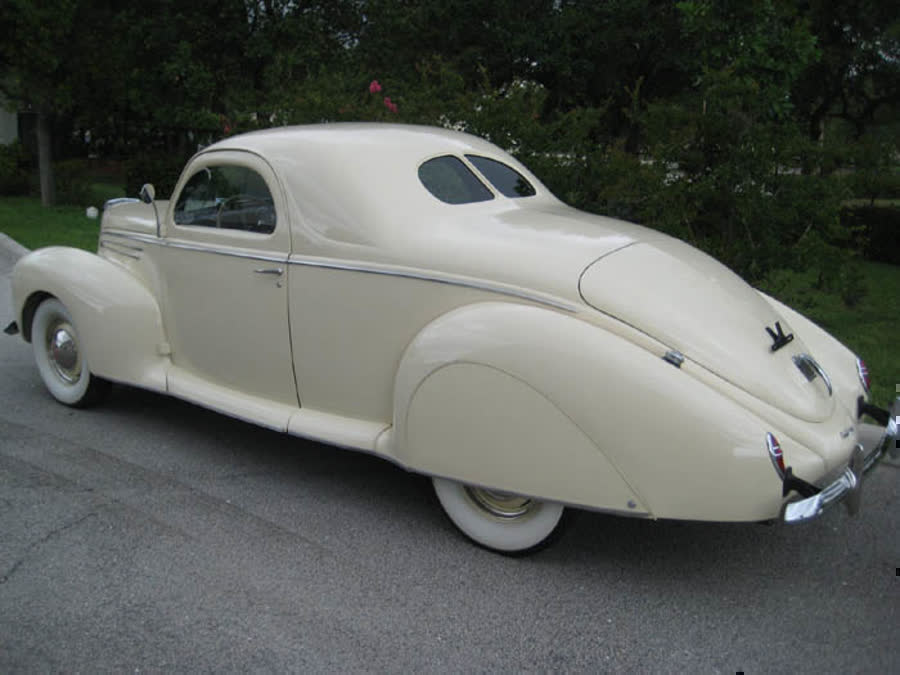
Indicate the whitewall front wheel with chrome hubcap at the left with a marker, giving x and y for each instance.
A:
(60, 358)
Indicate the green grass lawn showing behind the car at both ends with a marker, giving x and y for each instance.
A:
(871, 328)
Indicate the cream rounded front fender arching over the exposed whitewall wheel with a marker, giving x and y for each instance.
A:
(116, 316)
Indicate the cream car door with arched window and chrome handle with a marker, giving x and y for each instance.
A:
(227, 241)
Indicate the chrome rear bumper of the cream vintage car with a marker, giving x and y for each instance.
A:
(847, 486)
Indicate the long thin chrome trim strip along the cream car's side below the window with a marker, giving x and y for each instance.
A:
(365, 269)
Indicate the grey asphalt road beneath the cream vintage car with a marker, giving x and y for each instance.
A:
(150, 534)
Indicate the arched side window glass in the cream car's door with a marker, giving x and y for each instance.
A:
(228, 197)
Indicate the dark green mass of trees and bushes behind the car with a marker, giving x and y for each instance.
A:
(745, 128)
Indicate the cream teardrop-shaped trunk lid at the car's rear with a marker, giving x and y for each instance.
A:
(694, 304)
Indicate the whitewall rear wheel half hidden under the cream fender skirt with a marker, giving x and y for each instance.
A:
(501, 521)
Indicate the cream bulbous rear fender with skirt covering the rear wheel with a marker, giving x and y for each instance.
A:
(538, 402)
